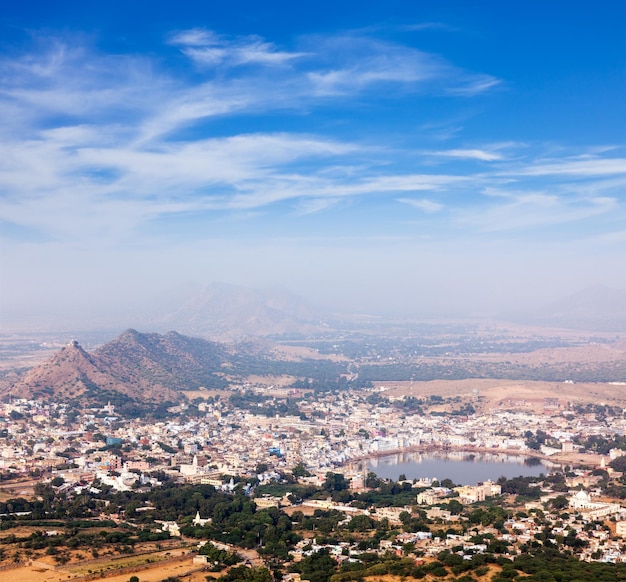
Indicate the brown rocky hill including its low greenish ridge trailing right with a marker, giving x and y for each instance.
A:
(144, 371)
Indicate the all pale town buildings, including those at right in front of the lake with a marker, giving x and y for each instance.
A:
(218, 442)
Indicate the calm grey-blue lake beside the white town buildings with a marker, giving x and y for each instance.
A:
(462, 467)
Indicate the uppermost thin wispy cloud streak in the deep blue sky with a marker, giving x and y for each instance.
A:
(334, 65)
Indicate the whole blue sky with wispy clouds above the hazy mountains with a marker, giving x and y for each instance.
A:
(433, 157)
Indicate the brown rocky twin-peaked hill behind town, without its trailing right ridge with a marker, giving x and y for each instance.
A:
(135, 369)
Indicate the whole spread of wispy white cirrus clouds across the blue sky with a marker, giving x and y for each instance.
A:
(87, 153)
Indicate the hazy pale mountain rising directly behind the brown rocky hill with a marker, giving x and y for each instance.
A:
(225, 311)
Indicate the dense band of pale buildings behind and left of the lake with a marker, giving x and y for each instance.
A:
(332, 431)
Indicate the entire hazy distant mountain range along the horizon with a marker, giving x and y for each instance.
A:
(225, 312)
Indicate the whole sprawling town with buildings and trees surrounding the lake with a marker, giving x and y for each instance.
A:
(313, 460)
